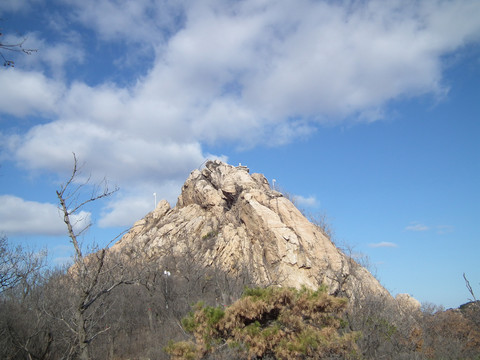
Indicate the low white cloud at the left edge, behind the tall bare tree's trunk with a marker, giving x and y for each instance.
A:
(19, 216)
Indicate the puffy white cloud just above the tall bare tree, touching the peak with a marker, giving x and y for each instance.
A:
(121, 157)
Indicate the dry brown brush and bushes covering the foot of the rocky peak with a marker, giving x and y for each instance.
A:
(137, 321)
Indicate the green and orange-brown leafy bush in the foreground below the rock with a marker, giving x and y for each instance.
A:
(276, 323)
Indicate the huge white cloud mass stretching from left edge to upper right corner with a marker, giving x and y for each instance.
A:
(247, 73)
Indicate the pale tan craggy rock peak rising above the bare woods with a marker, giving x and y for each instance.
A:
(230, 219)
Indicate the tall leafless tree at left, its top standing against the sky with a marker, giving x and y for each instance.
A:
(95, 275)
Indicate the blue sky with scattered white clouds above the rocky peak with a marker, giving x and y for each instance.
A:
(365, 111)
